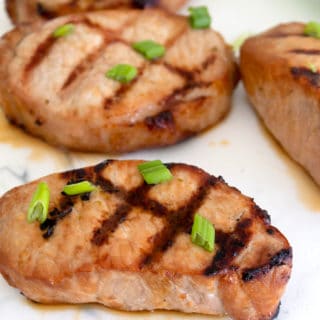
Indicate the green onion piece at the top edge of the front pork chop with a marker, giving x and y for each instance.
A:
(154, 172)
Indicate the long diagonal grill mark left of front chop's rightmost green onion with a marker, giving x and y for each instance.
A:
(178, 221)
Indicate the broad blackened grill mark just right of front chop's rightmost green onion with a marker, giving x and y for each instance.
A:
(230, 246)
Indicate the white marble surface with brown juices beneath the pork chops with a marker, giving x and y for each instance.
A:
(239, 149)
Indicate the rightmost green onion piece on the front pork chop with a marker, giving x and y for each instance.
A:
(203, 233)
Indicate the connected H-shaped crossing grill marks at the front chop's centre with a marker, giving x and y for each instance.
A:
(177, 221)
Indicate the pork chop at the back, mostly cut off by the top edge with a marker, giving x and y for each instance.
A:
(26, 11)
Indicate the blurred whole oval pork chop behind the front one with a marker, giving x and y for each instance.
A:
(56, 88)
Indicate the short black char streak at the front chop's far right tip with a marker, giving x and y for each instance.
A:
(281, 258)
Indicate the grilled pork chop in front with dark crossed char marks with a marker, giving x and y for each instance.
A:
(127, 244)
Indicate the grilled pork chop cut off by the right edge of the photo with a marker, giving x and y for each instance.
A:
(280, 70)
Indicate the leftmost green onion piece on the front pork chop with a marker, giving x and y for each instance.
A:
(39, 205)
